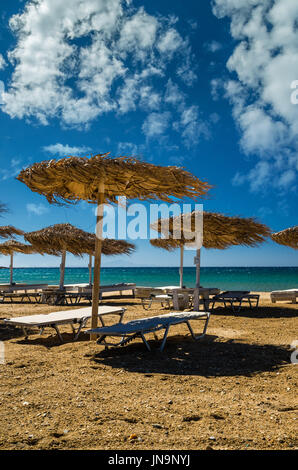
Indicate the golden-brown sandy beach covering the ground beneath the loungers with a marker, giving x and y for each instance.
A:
(235, 389)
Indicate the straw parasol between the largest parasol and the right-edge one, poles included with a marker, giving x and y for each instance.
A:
(219, 232)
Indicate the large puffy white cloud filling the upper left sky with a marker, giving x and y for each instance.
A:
(76, 60)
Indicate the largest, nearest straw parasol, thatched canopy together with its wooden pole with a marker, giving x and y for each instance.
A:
(101, 179)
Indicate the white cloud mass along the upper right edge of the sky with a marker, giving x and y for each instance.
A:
(265, 62)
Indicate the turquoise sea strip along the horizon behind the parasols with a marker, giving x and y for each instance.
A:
(254, 279)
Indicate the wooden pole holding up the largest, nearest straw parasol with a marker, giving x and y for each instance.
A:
(97, 258)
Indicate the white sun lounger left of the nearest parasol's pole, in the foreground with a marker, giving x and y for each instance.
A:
(79, 316)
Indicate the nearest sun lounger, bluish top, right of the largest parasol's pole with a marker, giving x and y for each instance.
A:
(141, 327)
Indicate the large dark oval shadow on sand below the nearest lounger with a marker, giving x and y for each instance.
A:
(209, 357)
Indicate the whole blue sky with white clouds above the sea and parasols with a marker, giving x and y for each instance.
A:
(205, 85)
